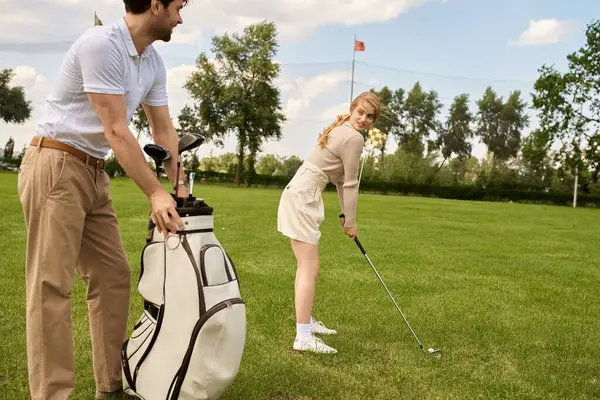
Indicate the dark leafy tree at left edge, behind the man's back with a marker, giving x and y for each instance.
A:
(14, 108)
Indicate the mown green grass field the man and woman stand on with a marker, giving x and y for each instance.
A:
(509, 292)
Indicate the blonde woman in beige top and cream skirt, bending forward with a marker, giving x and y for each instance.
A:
(335, 159)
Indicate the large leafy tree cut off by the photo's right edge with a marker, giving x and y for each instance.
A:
(569, 104)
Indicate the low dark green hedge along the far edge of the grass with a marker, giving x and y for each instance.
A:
(475, 192)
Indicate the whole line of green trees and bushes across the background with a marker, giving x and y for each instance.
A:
(234, 93)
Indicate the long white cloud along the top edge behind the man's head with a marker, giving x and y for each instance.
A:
(295, 19)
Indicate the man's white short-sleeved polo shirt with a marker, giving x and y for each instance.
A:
(102, 60)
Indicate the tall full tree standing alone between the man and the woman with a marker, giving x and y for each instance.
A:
(236, 93)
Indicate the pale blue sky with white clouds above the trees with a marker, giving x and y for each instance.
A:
(450, 46)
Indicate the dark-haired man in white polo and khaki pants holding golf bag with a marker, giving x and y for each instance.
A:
(71, 224)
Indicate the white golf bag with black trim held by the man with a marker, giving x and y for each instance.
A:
(189, 340)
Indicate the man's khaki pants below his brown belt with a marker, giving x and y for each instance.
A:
(71, 226)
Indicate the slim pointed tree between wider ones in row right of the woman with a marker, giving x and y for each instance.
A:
(454, 137)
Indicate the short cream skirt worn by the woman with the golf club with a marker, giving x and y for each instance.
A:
(301, 210)
